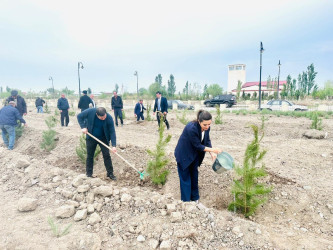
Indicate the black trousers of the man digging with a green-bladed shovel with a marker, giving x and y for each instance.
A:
(91, 147)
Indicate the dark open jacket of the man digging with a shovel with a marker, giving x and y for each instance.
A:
(89, 116)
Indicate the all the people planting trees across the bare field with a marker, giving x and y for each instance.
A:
(190, 151)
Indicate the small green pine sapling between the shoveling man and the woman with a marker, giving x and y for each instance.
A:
(156, 167)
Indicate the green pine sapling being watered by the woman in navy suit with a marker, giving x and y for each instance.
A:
(248, 192)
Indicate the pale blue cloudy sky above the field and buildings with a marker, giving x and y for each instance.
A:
(193, 40)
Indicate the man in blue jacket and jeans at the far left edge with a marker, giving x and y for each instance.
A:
(8, 121)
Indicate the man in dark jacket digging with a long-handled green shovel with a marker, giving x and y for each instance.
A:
(100, 124)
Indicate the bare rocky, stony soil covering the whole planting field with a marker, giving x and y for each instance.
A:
(134, 214)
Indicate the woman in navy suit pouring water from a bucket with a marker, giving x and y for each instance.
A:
(190, 151)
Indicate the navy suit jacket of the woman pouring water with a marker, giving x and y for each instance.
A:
(189, 145)
